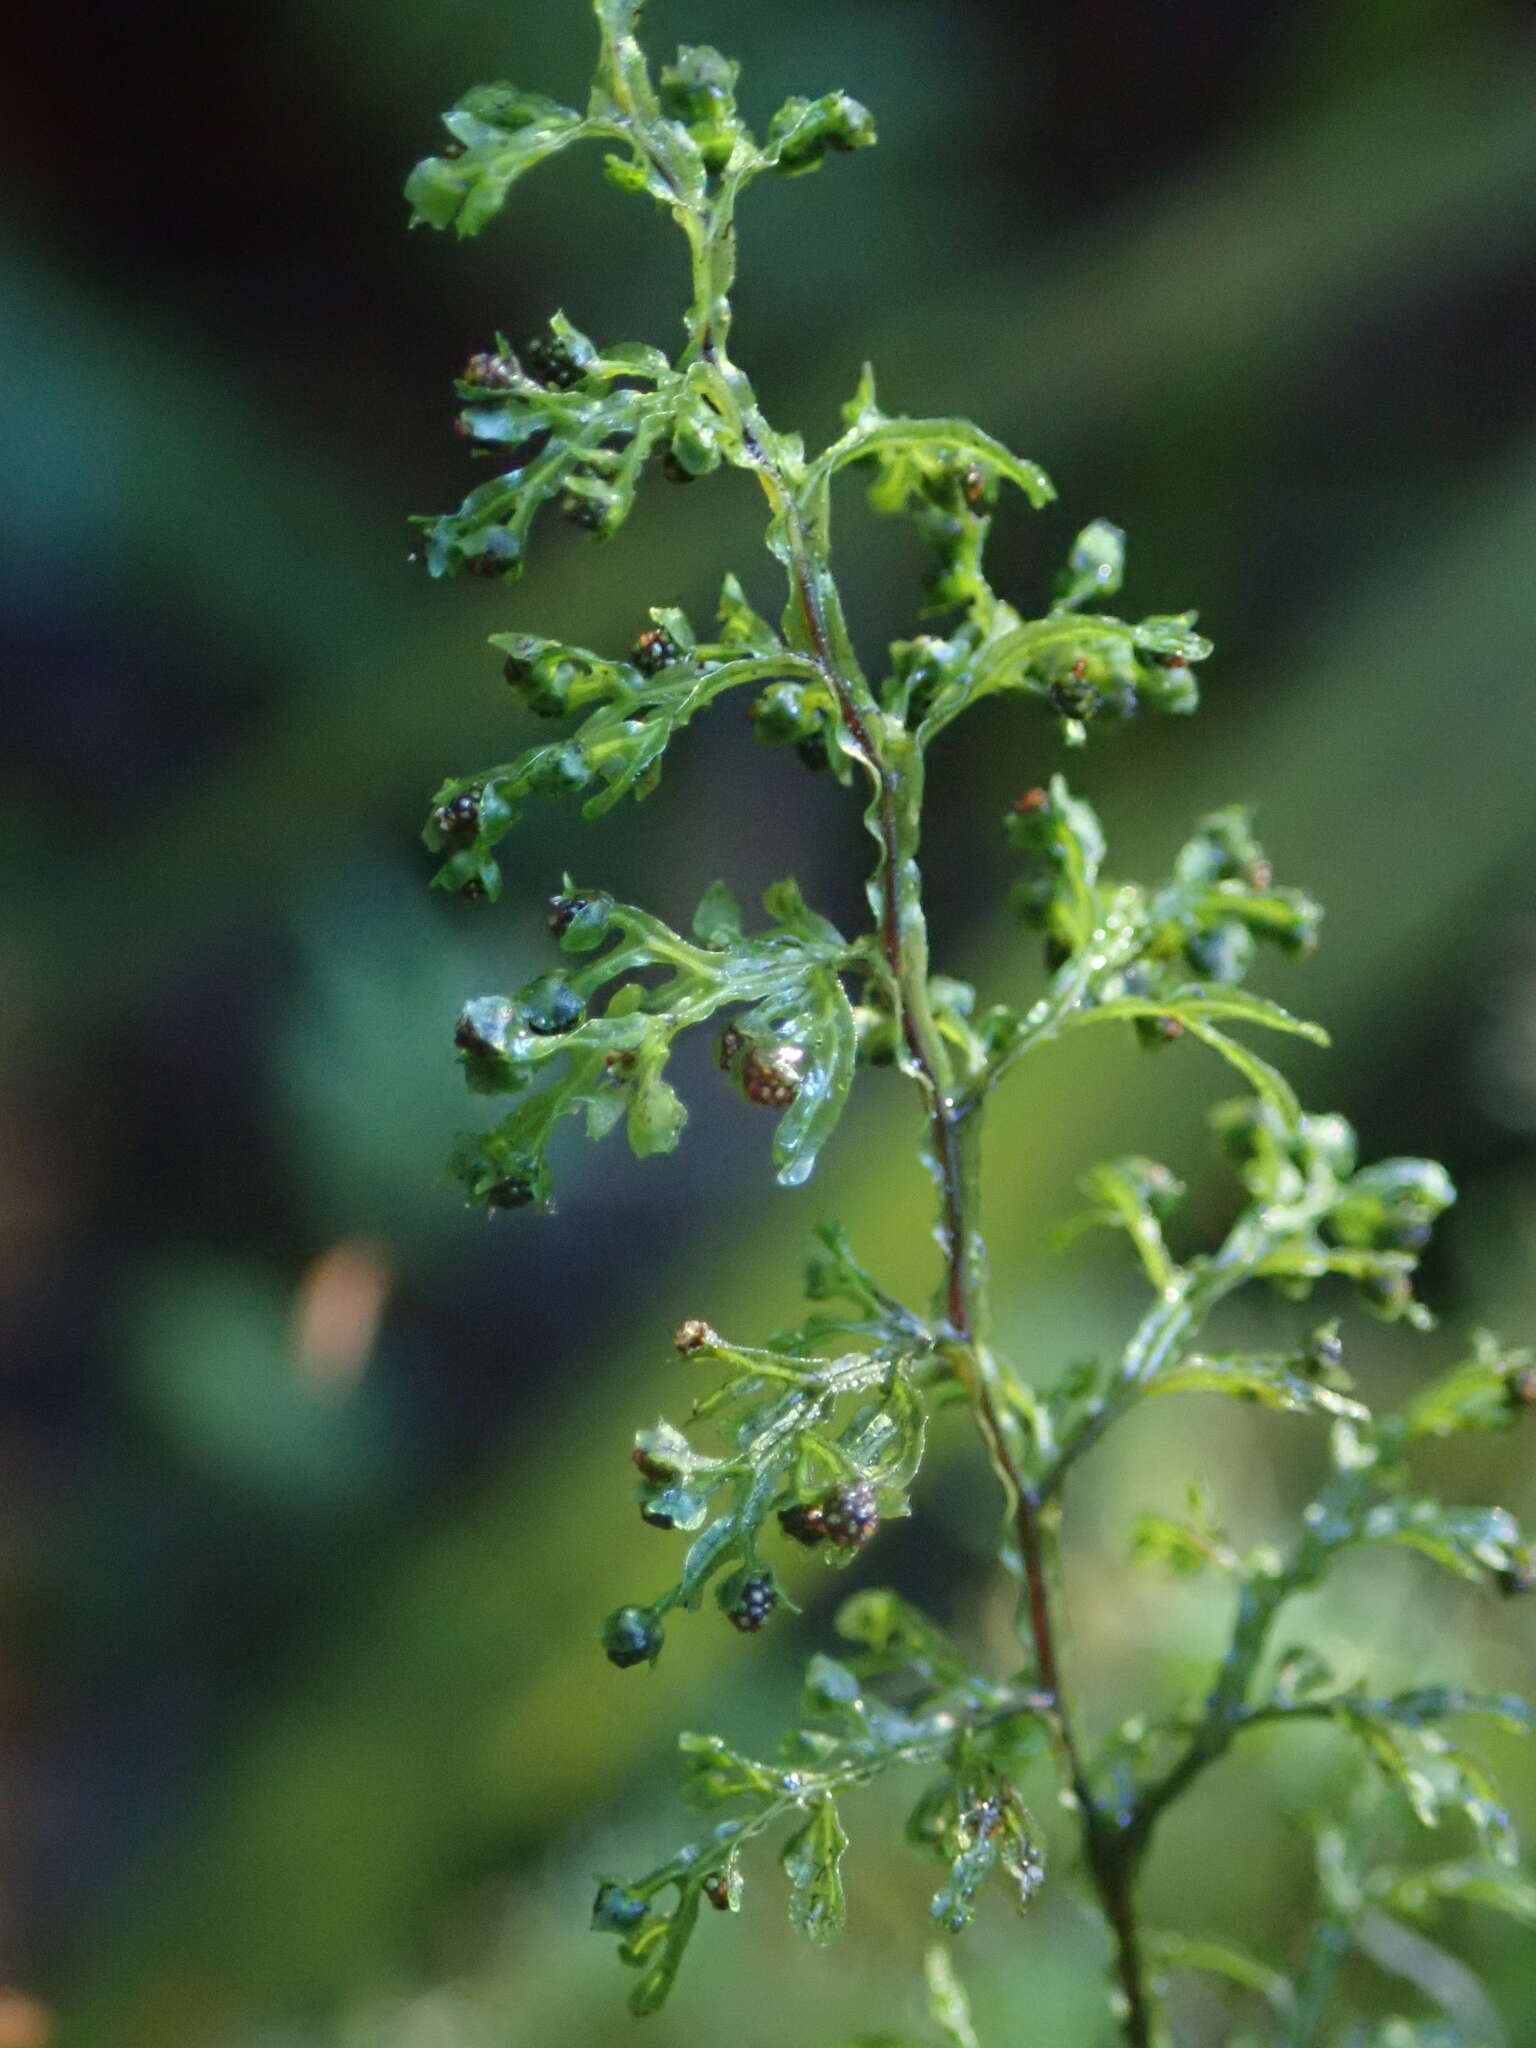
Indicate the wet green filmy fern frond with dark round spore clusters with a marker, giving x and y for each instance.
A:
(818, 1437)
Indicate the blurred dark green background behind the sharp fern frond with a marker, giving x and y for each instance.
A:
(314, 1486)
